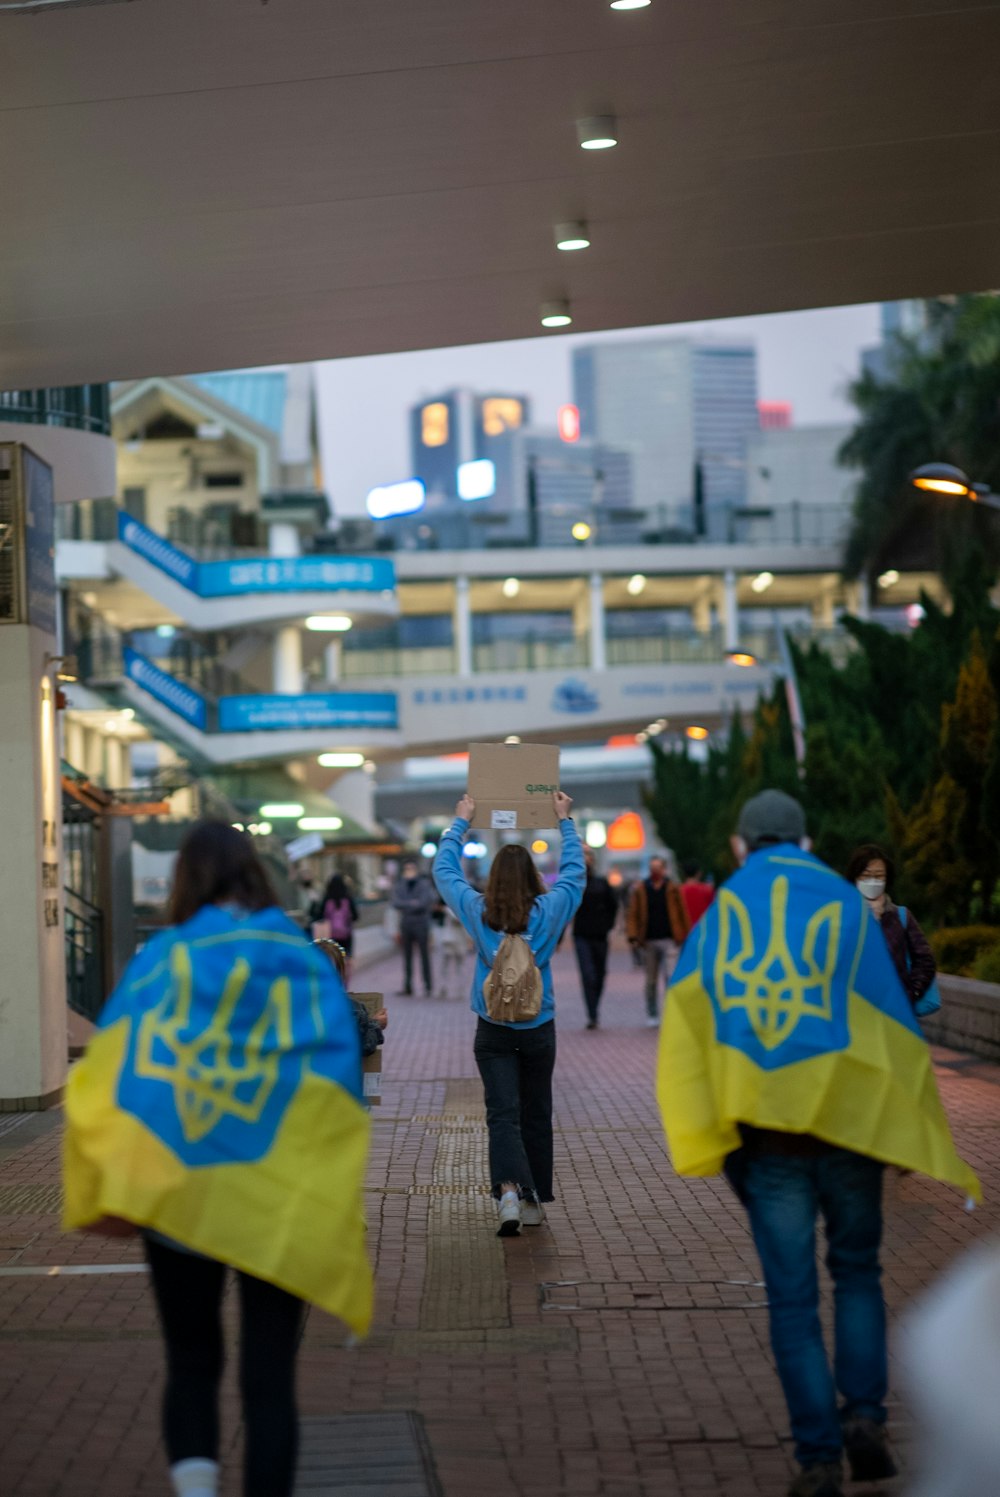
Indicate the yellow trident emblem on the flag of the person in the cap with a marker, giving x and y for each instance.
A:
(773, 990)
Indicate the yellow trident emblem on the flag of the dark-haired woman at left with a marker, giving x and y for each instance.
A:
(209, 1082)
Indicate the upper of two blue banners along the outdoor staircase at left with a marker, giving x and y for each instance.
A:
(314, 574)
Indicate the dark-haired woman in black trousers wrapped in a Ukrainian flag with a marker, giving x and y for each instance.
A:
(218, 1112)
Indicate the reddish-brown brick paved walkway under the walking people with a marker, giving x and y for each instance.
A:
(621, 1351)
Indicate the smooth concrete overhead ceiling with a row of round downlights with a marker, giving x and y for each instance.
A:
(197, 185)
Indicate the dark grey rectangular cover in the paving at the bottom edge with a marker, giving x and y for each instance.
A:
(366, 1456)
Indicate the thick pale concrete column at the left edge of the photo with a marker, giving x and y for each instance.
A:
(32, 938)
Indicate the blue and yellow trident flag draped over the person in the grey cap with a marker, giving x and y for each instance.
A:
(787, 1013)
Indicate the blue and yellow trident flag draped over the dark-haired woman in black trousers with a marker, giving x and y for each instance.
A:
(219, 1104)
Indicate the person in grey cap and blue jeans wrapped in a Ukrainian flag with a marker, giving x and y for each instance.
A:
(785, 1035)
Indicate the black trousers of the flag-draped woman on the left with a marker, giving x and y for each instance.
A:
(189, 1300)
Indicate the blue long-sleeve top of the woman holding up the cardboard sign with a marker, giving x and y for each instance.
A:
(549, 920)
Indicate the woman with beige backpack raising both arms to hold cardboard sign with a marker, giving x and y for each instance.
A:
(516, 927)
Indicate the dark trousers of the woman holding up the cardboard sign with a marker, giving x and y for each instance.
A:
(517, 1077)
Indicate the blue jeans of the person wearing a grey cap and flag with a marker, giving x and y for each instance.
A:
(784, 1197)
